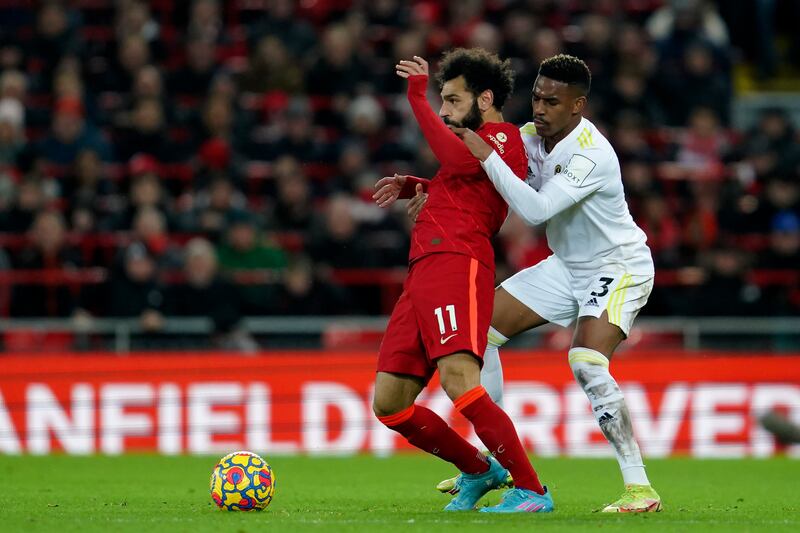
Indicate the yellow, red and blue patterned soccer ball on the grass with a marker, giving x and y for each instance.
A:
(242, 481)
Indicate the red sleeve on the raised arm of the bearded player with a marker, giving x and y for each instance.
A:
(449, 150)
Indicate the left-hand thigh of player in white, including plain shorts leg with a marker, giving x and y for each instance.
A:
(535, 296)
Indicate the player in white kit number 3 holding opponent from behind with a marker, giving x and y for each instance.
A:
(601, 271)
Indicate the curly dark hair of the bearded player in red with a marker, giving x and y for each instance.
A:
(482, 71)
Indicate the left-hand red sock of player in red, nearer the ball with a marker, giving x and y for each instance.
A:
(427, 431)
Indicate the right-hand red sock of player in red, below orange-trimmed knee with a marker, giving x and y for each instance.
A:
(497, 432)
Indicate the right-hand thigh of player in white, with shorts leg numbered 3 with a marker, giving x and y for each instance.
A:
(610, 303)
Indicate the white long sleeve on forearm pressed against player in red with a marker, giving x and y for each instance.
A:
(535, 207)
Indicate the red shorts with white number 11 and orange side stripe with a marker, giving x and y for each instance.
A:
(446, 307)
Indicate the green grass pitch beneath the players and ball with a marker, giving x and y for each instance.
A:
(145, 493)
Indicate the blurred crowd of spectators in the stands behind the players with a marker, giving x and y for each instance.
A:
(218, 158)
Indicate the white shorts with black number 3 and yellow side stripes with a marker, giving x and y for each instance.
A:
(551, 290)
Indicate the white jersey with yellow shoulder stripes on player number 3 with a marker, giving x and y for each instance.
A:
(597, 230)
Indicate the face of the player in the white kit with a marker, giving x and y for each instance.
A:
(554, 105)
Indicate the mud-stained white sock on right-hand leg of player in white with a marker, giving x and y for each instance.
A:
(590, 369)
